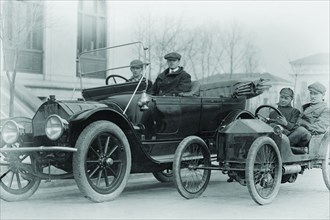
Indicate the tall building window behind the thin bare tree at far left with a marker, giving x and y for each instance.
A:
(23, 29)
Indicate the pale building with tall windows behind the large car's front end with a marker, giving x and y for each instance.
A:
(46, 63)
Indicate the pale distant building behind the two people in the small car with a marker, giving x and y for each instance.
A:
(307, 70)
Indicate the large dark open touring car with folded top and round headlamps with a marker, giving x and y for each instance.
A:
(114, 131)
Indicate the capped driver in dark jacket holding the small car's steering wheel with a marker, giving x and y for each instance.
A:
(290, 114)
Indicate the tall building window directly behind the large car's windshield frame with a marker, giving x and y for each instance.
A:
(92, 35)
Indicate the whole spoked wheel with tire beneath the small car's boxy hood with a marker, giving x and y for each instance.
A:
(263, 170)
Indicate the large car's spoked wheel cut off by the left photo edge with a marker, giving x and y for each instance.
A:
(16, 176)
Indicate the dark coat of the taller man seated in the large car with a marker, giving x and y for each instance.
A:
(172, 84)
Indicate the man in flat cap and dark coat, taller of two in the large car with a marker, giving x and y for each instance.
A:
(174, 79)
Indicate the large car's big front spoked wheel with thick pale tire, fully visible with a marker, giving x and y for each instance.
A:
(102, 164)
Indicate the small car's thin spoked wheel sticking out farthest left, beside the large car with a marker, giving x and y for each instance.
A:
(191, 156)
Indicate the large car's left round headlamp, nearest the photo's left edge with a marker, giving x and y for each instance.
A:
(11, 131)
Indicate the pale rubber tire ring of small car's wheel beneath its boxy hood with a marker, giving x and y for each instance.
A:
(256, 145)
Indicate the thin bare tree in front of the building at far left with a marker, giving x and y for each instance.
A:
(20, 20)
